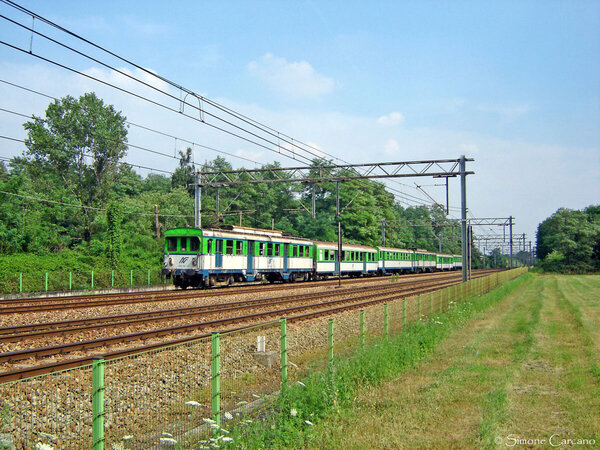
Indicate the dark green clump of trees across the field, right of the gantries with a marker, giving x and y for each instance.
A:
(569, 240)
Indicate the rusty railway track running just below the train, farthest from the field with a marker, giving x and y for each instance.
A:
(45, 304)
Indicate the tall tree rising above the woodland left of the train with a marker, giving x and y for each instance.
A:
(80, 142)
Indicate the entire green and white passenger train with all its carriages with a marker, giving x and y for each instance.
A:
(206, 257)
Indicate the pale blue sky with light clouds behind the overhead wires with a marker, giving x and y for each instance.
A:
(516, 85)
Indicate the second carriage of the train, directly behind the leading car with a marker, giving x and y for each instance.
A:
(356, 259)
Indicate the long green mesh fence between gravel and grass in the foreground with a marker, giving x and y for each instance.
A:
(195, 391)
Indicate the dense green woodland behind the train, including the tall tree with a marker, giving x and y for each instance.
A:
(71, 194)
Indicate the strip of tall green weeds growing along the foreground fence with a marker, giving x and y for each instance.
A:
(289, 421)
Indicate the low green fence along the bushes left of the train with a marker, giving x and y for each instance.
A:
(61, 281)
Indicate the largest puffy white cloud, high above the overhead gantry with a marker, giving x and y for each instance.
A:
(293, 80)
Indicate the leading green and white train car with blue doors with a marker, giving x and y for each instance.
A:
(204, 257)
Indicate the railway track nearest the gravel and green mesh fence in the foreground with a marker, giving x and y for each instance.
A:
(294, 313)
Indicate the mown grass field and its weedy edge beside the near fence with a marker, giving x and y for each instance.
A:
(518, 367)
